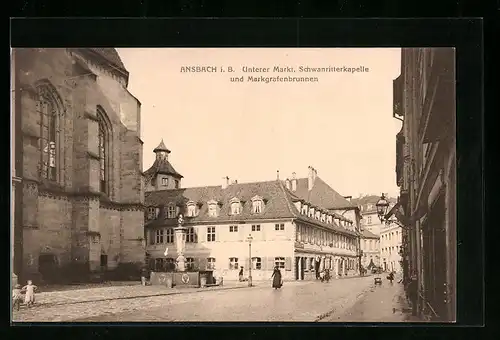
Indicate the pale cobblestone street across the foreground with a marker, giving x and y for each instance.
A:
(350, 299)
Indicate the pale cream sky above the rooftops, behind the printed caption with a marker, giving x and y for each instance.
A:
(341, 125)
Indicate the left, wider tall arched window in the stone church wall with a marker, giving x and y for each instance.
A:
(49, 107)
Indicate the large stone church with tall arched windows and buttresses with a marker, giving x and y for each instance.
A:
(78, 159)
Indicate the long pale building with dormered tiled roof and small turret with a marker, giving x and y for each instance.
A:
(288, 230)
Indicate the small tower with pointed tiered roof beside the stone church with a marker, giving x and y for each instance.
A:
(162, 175)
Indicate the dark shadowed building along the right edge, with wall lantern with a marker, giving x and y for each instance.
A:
(424, 99)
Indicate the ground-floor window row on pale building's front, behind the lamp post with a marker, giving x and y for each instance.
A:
(233, 263)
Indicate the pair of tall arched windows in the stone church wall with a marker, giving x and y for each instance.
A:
(50, 108)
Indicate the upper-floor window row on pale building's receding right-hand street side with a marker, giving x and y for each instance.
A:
(313, 235)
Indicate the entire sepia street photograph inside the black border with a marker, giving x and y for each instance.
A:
(233, 185)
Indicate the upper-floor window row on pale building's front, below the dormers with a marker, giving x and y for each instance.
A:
(160, 236)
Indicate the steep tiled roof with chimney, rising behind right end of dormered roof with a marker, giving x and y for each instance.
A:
(321, 195)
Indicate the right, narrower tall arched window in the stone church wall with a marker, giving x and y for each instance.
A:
(103, 141)
